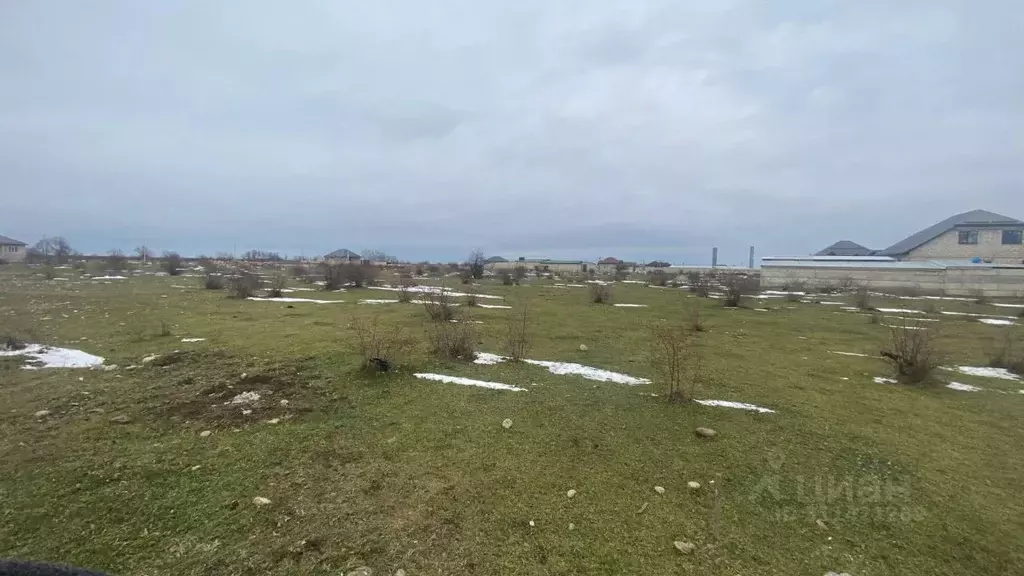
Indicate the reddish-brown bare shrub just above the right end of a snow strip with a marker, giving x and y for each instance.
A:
(677, 361)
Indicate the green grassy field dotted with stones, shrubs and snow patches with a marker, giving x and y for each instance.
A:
(395, 473)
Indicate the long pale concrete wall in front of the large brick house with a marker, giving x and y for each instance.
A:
(966, 281)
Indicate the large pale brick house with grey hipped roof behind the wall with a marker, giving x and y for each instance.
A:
(975, 235)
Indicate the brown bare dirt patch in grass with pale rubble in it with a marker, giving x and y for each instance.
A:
(216, 389)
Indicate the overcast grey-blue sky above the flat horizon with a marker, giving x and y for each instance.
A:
(641, 130)
